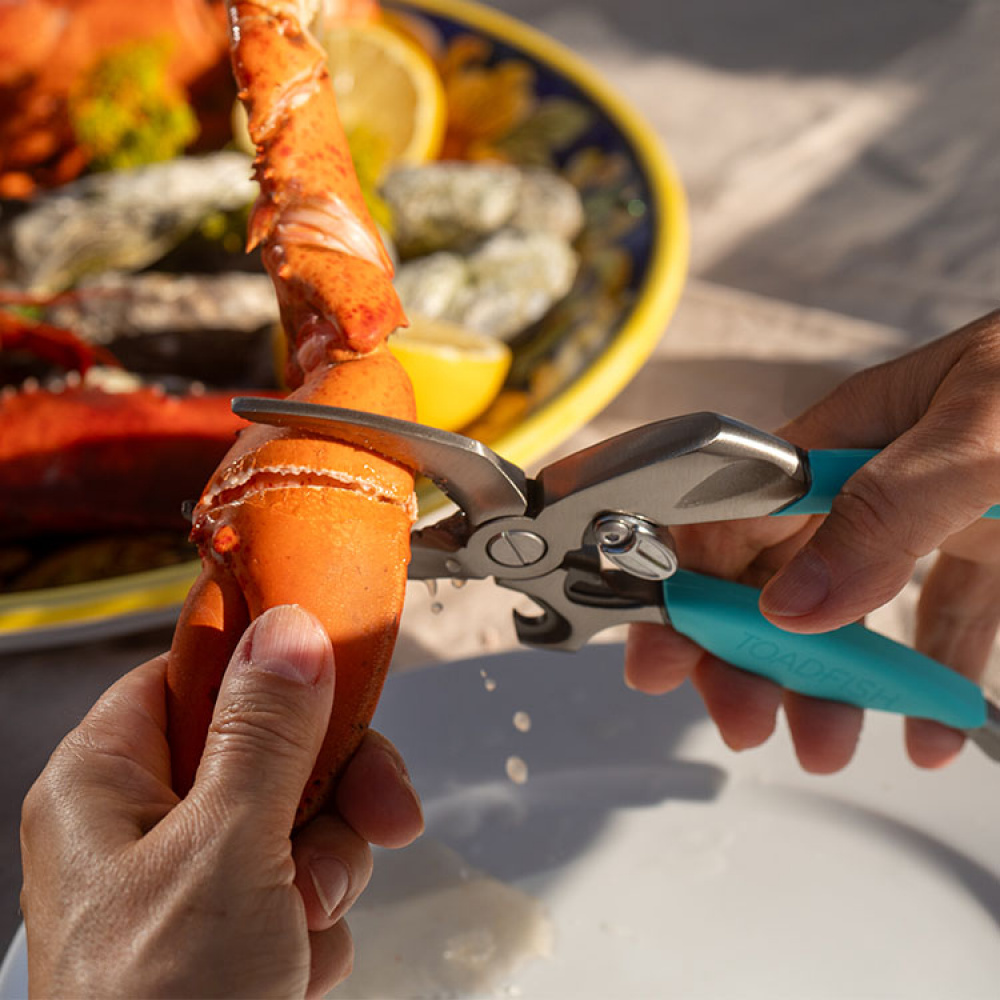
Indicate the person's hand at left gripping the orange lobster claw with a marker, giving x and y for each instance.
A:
(130, 891)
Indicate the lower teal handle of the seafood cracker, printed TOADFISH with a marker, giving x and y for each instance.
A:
(851, 664)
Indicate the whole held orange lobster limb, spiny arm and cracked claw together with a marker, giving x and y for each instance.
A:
(290, 517)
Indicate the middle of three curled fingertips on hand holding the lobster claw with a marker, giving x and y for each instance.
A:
(332, 867)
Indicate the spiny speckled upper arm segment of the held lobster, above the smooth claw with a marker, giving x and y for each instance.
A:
(331, 271)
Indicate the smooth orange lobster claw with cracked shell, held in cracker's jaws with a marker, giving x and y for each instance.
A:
(292, 517)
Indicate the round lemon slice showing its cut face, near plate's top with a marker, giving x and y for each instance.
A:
(387, 90)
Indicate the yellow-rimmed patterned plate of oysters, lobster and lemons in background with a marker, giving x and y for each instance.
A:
(532, 225)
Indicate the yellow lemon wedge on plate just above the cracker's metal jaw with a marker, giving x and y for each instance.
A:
(456, 373)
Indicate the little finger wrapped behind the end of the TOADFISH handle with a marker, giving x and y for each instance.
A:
(957, 620)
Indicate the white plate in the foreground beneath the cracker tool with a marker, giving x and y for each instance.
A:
(650, 861)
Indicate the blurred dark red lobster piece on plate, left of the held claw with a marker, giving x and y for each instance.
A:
(109, 461)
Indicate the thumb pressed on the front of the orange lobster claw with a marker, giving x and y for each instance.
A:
(270, 719)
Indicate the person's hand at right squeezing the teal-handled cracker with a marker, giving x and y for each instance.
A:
(936, 414)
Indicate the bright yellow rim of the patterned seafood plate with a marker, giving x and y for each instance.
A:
(107, 600)
